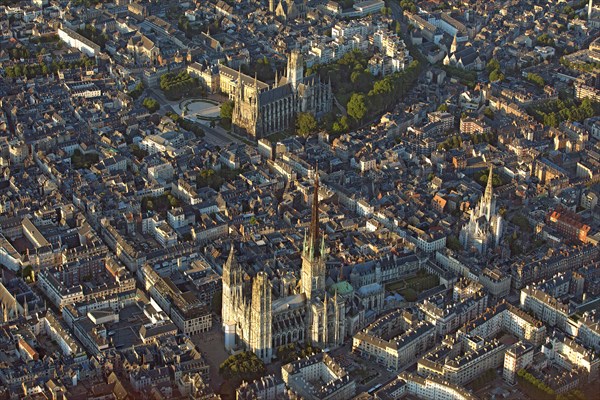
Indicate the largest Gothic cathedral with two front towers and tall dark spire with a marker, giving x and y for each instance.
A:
(312, 314)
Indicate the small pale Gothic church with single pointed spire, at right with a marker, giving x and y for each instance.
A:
(484, 228)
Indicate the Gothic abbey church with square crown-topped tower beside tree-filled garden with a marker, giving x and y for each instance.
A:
(260, 110)
